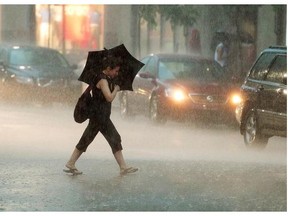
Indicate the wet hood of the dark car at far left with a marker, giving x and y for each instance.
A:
(50, 72)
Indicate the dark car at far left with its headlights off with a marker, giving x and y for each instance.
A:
(36, 73)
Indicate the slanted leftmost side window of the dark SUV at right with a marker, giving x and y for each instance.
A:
(260, 68)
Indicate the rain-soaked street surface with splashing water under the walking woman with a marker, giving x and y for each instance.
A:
(182, 167)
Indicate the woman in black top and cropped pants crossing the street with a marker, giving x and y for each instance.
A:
(103, 93)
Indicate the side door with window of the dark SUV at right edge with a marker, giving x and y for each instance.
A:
(276, 93)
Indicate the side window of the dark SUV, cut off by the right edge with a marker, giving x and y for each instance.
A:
(278, 70)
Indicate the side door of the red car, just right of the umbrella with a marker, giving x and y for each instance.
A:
(143, 85)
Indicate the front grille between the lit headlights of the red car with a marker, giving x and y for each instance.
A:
(208, 99)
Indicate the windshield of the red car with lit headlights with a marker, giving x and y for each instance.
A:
(189, 70)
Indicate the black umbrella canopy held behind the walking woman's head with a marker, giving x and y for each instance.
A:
(128, 70)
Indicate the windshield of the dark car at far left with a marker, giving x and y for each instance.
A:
(34, 57)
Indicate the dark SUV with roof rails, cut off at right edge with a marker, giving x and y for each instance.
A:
(263, 111)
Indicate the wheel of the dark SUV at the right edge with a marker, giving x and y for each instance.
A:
(252, 136)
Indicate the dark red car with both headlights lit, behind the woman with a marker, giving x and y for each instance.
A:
(181, 87)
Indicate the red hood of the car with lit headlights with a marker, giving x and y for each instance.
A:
(196, 87)
